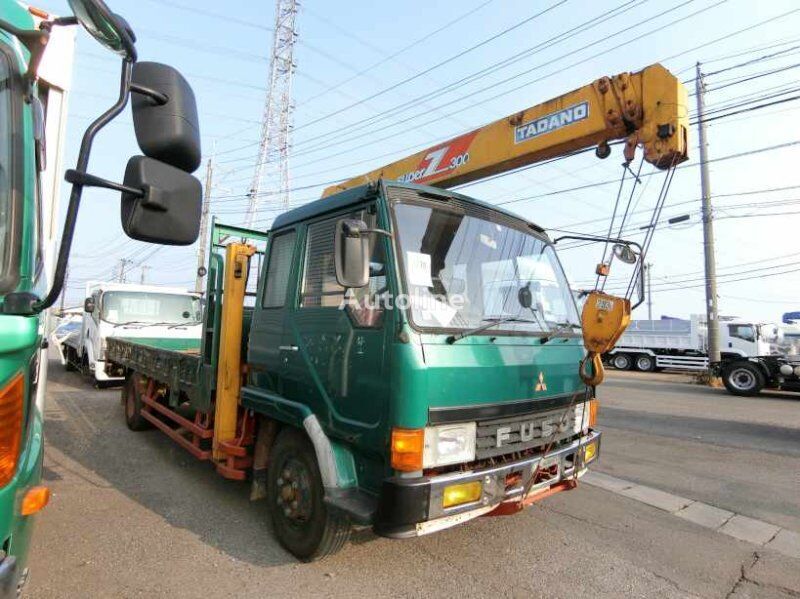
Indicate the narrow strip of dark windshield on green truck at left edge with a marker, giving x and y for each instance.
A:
(6, 127)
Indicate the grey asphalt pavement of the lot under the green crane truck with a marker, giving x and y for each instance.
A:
(134, 515)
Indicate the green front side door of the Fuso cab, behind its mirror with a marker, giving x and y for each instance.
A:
(342, 338)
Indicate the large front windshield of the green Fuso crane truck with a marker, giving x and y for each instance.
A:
(462, 271)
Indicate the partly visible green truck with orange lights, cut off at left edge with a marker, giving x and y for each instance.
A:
(32, 121)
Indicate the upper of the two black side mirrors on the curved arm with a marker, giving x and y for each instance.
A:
(165, 115)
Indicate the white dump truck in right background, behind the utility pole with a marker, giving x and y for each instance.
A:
(649, 345)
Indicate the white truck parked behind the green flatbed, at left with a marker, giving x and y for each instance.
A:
(130, 311)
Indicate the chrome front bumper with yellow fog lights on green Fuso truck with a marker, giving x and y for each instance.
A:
(410, 507)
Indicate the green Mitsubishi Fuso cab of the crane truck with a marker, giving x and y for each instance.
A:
(431, 394)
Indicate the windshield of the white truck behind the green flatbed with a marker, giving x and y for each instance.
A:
(149, 308)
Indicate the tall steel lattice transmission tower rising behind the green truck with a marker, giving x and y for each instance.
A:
(273, 151)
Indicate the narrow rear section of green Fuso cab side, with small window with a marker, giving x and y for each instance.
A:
(268, 353)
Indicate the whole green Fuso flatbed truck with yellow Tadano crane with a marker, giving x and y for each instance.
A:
(412, 358)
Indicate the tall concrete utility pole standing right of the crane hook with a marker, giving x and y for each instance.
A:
(712, 313)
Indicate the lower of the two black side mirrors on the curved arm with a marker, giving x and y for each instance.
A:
(168, 209)
